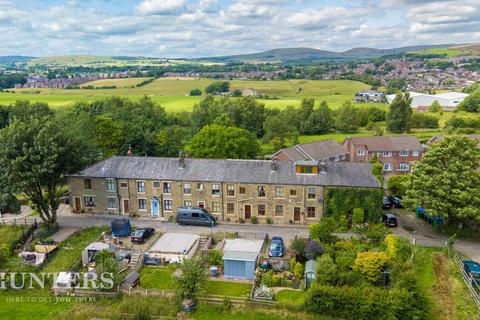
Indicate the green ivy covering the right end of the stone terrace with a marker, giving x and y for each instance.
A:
(341, 201)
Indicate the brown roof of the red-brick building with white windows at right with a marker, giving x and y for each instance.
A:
(388, 143)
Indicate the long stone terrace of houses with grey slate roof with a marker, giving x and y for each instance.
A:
(285, 191)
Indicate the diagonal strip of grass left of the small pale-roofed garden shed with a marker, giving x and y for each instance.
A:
(70, 251)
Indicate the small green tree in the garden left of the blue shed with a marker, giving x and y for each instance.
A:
(191, 283)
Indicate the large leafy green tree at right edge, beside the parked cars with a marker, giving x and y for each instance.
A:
(447, 182)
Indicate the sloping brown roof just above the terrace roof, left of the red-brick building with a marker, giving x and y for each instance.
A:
(318, 150)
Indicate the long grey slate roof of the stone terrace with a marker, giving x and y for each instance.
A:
(234, 171)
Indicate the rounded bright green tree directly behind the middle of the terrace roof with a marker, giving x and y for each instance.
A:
(222, 142)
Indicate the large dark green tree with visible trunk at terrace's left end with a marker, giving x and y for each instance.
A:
(36, 155)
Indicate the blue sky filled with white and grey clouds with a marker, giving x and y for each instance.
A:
(202, 28)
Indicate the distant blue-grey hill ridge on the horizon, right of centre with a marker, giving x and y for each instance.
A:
(309, 54)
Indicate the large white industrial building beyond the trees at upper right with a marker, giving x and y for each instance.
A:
(422, 101)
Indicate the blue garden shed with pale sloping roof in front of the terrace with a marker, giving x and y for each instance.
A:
(240, 258)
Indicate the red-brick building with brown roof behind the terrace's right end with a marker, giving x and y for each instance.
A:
(396, 153)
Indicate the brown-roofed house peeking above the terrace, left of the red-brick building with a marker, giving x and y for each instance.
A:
(323, 150)
